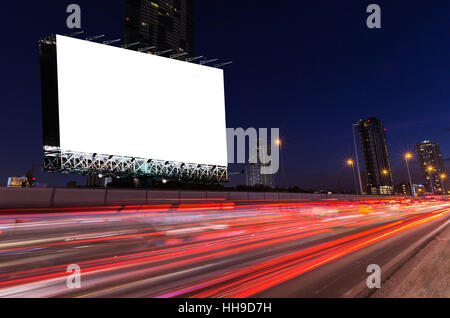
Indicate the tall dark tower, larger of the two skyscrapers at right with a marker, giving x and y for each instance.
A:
(375, 152)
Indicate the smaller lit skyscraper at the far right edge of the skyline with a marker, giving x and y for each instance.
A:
(432, 167)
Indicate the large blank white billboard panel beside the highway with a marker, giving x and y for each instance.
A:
(120, 102)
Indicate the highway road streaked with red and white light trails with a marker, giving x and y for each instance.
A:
(210, 249)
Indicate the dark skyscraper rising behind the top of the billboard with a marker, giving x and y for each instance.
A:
(166, 24)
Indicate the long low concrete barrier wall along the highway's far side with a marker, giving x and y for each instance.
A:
(56, 197)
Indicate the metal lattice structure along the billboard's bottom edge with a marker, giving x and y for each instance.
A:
(56, 160)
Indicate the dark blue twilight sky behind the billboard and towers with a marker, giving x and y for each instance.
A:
(310, 68)
